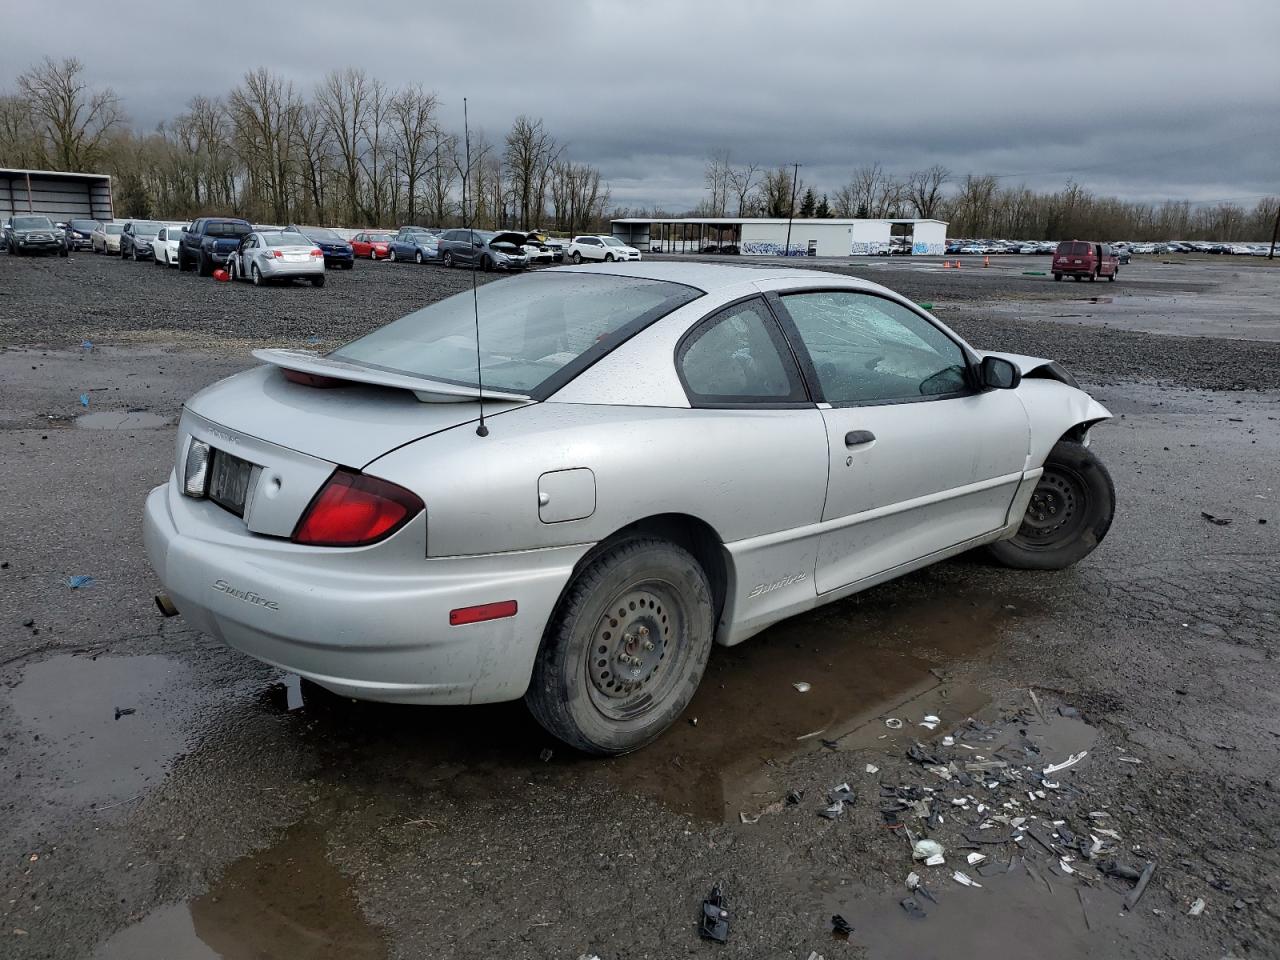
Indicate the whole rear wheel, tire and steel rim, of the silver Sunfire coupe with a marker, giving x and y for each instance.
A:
(660, 589)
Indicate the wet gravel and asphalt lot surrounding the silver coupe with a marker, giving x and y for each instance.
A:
(166, 797)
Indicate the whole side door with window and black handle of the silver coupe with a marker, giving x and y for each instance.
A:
(920, 460)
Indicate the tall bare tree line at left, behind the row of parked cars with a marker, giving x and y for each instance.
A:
(354, 152)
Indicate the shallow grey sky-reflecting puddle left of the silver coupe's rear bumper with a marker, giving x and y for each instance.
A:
(102, 729)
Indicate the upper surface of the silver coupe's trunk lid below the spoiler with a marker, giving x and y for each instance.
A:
(353, 426)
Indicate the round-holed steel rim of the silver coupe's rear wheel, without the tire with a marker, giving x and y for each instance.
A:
(636, 651)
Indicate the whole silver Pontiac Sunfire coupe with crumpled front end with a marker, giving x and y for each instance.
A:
(634, 464)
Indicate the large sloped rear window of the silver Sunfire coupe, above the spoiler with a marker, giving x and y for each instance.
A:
(532, 328)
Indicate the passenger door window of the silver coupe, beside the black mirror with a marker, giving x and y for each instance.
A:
(871, 350)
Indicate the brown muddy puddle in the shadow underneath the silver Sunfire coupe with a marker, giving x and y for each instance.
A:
(863, 660)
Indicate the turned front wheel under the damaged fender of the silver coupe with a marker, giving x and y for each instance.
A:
(1071, 511)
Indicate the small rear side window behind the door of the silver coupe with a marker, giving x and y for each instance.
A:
(739, 356)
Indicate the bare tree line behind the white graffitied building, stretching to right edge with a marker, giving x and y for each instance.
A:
(975, 205)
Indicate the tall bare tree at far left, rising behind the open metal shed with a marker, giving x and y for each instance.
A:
(74, 121)
